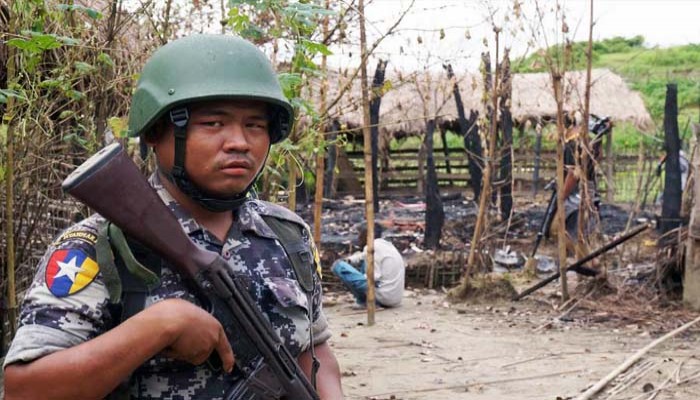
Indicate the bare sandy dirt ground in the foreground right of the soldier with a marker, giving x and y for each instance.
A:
(428, 349)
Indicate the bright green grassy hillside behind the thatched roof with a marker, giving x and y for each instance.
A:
(646, 70)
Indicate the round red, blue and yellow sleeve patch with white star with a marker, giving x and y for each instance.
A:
(69, 271)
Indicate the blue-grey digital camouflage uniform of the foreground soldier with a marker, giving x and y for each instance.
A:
(56, 316)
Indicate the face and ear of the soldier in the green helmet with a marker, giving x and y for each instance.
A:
(227, 144)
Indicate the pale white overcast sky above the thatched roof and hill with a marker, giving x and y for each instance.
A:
(417, 42)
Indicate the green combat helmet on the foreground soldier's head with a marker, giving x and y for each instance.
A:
(207, 67)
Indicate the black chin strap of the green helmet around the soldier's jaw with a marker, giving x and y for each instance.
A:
(178, 175)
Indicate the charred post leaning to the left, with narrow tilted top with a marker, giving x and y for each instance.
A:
(470, 131)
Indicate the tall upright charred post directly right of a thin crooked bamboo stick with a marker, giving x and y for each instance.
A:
(506, 168)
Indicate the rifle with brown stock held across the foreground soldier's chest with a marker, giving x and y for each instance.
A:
(111, 184)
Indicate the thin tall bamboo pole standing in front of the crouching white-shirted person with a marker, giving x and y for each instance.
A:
(369, 201)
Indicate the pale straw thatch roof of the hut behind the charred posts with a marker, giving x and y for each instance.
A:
(410, 100)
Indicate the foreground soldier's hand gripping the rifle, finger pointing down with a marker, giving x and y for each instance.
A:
(195, 333)
